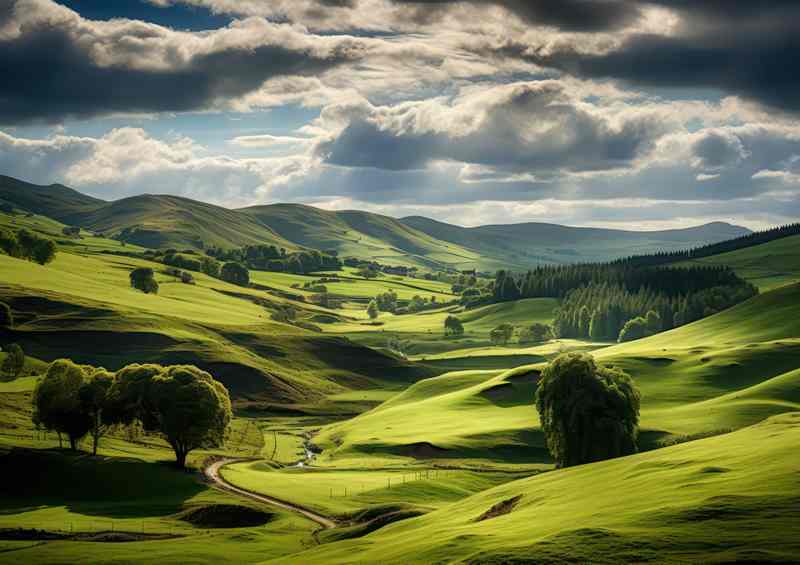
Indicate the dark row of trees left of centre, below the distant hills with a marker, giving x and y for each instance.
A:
(271, 258)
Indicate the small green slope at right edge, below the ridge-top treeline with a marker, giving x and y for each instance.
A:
(767, 266)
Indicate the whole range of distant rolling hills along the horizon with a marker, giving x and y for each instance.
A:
(160, 221)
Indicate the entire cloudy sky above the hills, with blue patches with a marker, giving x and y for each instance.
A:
(638, 114)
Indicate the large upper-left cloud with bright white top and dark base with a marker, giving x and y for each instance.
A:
(57, 65)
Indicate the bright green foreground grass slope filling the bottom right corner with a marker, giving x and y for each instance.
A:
(731, 498)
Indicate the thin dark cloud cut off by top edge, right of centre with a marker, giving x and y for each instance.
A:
(568, 15)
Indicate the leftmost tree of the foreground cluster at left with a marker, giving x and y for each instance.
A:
(56, 401)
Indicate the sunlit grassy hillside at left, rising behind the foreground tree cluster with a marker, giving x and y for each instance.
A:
(82, 307)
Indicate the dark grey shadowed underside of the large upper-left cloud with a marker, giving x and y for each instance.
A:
(49, 74)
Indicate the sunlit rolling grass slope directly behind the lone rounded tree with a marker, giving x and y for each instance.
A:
(724, 372)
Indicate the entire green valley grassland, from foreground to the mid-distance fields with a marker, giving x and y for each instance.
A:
(429, 454)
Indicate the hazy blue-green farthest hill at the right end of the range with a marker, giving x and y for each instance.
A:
(526, 244)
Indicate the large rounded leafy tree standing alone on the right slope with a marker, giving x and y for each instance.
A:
(587, 413)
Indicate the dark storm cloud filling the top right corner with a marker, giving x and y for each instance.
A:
(748, 49)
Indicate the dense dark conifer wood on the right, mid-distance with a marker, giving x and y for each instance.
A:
(598, 300)
